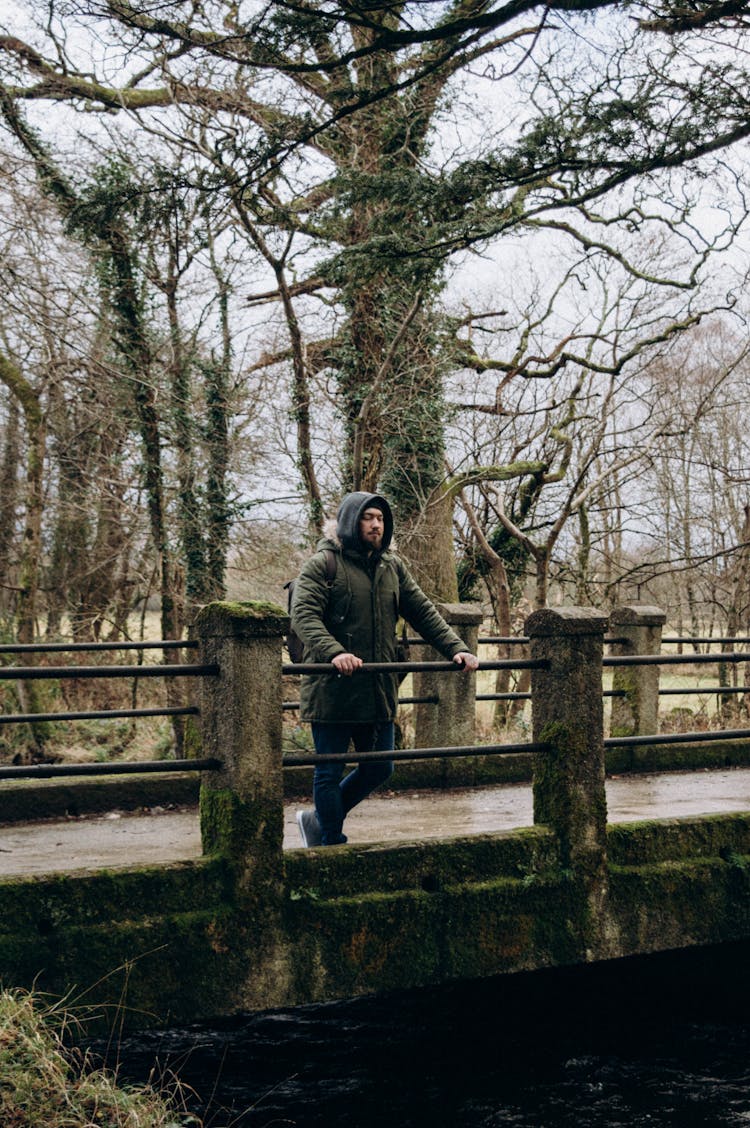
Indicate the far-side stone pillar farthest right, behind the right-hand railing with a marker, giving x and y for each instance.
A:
(640, 629)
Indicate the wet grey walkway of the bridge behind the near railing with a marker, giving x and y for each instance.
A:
(162, 836)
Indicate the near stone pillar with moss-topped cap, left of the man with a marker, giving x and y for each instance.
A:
(242, 806)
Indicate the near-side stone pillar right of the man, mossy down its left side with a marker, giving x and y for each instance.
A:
(569, 778)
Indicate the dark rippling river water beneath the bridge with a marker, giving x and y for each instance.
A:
(642, 1043)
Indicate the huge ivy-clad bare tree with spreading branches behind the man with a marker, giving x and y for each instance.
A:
(320, 129)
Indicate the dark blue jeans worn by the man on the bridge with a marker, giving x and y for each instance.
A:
(334, 798)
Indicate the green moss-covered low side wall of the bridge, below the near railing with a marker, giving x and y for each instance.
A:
(227, 933)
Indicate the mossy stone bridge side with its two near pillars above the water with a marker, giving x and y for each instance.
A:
(251, 927)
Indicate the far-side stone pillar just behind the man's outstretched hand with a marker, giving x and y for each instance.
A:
(453, 721)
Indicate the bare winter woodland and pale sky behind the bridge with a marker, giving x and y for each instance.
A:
(489, 259)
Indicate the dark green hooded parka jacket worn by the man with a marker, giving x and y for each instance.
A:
(358, 614)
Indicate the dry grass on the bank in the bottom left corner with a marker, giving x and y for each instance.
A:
(45, 1086)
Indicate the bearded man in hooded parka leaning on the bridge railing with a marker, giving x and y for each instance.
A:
(349, 621)
